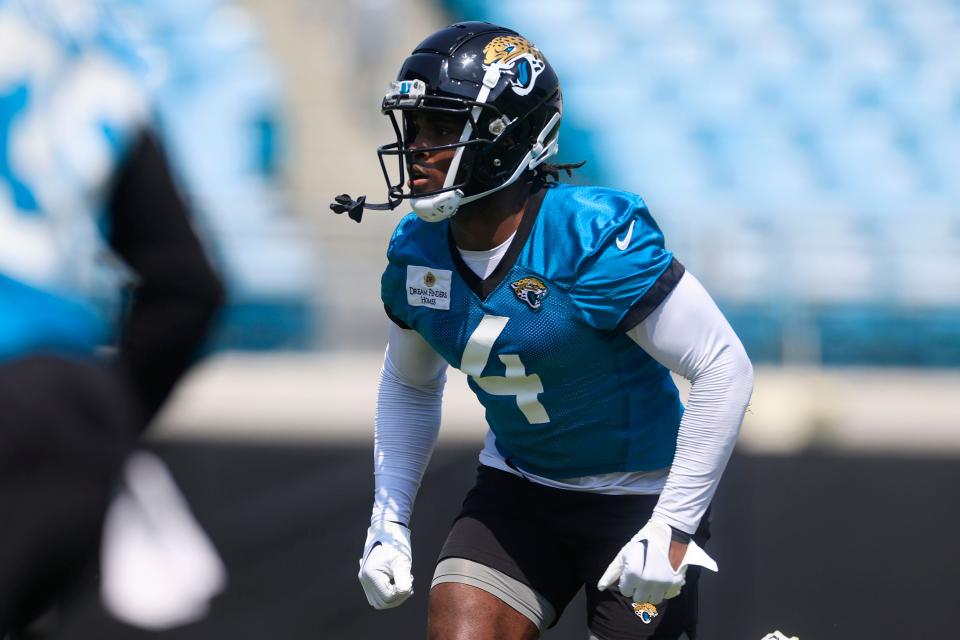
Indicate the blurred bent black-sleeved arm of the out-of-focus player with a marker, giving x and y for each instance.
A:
(178, 292)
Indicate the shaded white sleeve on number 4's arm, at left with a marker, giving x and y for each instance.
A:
(407, 422)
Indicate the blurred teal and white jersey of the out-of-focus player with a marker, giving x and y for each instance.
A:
(68, 114)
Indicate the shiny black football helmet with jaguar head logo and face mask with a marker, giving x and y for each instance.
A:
(509, 96)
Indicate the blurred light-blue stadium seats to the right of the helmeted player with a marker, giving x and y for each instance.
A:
(802, 158)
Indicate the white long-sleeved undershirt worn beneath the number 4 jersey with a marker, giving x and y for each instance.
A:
(686, 333)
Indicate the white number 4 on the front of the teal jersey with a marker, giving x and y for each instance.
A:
(516, 382)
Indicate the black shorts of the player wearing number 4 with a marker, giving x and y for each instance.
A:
(556, 541)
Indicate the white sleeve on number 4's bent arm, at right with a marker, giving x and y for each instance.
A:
(690, 336)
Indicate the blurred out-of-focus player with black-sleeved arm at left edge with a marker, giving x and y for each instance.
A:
(81, 179)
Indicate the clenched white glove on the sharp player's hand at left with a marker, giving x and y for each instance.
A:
(385, 568)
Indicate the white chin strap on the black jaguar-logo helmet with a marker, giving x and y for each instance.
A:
(441, 206)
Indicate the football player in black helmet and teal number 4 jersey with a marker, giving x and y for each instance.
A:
(567, 313)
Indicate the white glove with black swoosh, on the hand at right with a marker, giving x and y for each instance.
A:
(642, 569)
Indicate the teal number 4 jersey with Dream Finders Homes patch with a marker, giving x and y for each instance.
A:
(543, 339)
